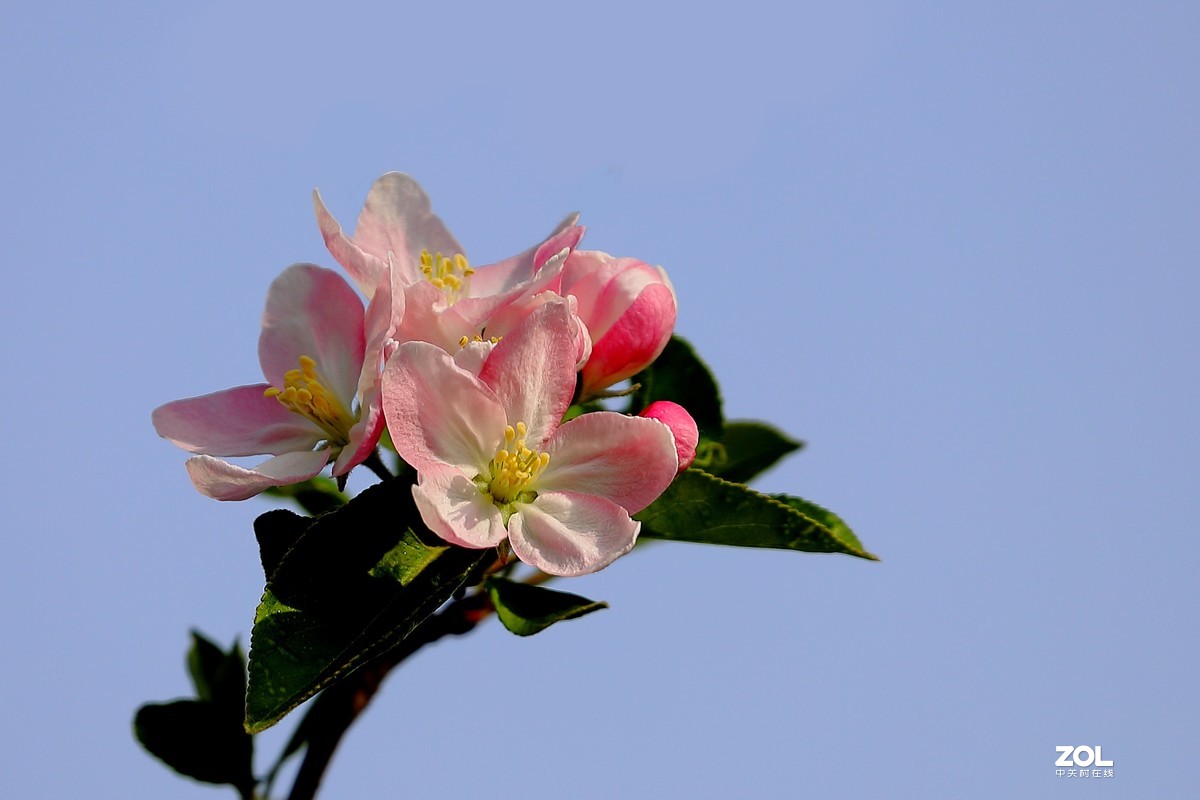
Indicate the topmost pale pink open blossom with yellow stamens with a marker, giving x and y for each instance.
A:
(446, 298)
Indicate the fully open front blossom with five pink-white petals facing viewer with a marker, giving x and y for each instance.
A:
(494, 462)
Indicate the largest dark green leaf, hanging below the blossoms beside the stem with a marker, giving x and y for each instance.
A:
(352, 586)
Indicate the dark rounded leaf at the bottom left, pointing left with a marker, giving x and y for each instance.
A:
(199, 739)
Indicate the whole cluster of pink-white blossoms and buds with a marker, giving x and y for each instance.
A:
(472, 370)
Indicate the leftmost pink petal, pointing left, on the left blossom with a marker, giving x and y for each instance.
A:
(237, 422)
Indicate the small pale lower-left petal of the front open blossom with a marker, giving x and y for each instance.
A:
(454, 509)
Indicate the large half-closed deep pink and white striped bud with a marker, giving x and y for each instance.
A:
(629, 309)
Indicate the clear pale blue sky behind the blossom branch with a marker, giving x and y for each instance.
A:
(953, 249)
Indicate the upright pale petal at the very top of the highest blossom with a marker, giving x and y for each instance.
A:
(398, 218)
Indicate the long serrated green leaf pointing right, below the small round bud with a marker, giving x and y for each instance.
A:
(700, 508)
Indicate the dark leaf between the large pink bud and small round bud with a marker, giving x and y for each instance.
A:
(680, 376)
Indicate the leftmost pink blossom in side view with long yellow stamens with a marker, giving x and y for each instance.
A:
(321, 357)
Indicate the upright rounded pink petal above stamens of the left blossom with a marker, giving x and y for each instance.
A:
(313, 311)
